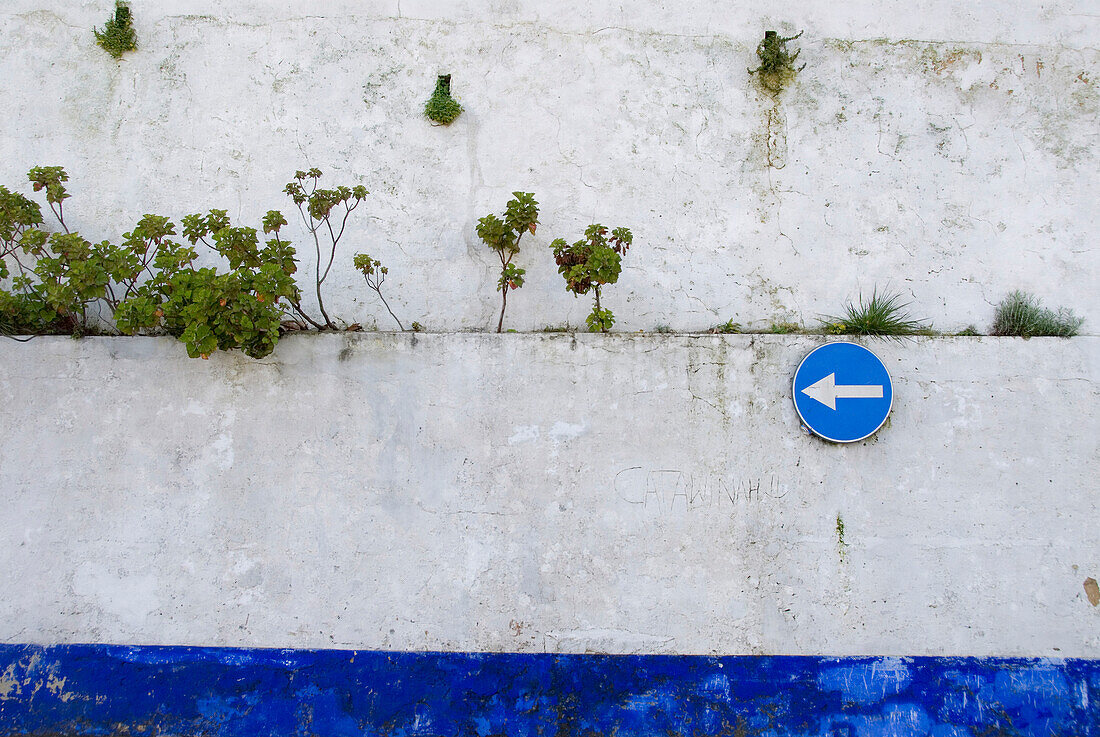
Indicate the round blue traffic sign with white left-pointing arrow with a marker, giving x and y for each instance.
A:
(843, 392)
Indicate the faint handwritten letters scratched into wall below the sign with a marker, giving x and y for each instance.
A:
(675, 491)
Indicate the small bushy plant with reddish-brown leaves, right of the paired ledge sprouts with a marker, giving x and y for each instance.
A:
(591, 263)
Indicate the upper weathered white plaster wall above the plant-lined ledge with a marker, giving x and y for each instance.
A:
(943, 150)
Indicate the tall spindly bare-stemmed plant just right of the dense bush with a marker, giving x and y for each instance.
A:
(325, 214)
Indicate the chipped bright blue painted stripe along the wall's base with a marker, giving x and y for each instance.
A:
(101, 690)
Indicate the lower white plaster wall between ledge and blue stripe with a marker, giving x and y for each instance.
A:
(547, 493)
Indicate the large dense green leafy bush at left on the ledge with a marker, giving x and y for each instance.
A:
(148, 283)
